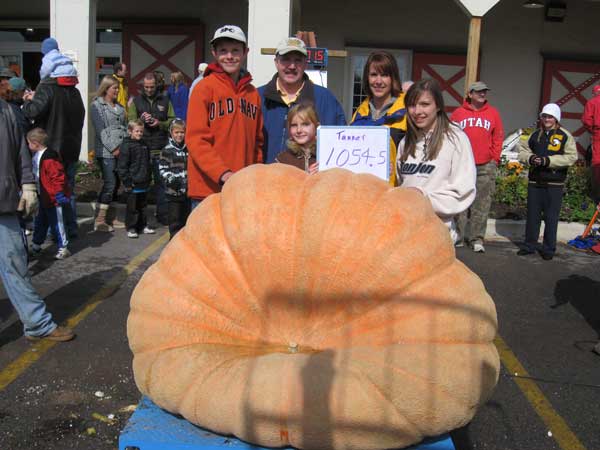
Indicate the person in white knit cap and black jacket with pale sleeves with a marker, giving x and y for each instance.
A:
(549, 152)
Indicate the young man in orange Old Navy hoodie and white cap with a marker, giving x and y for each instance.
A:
(224, 132)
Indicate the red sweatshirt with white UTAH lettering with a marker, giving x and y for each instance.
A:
(484, 129)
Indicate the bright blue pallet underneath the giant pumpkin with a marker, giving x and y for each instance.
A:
(152, 428)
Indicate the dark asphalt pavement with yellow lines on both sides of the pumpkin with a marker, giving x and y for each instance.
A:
(79, 395)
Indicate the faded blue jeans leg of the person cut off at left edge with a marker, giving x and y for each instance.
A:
(37, 321)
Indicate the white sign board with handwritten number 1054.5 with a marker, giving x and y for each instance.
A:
(358, 149)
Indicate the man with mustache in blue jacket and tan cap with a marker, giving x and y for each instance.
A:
(289, 86)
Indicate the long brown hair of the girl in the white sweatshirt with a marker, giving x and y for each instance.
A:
(442, 127)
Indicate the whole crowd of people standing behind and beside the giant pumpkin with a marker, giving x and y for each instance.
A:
(185, 143)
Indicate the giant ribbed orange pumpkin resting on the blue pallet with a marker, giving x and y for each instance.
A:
(322, 312)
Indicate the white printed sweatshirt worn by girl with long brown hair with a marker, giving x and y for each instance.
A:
(447, 181)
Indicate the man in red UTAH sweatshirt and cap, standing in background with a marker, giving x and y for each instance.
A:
(482, 124)
